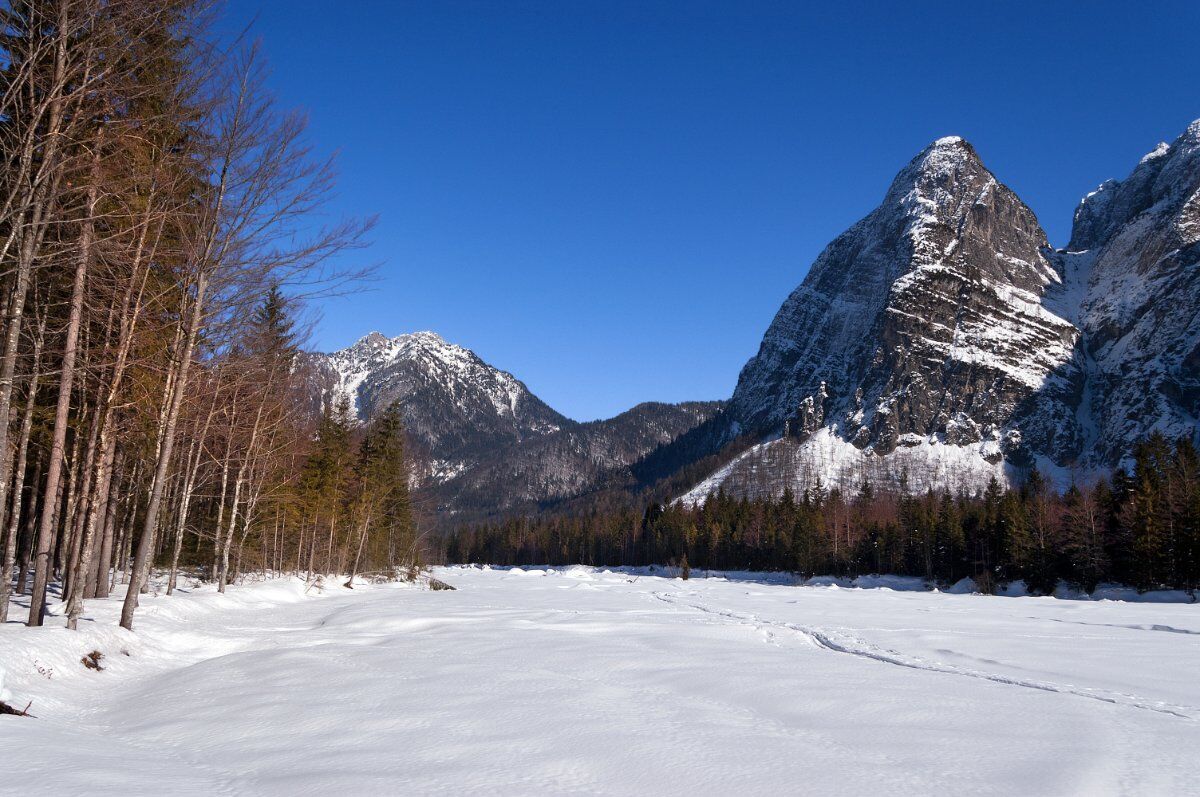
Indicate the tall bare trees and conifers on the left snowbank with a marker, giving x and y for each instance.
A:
(159, 233)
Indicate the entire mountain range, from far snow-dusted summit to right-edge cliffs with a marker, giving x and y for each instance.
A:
(938, 344)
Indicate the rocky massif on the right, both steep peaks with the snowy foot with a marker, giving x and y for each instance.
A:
(941, 341)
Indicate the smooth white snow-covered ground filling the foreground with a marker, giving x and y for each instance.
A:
(584, 682)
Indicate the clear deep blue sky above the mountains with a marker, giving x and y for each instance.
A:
(611, 200)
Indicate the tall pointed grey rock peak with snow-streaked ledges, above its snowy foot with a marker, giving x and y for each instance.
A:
(945, 278)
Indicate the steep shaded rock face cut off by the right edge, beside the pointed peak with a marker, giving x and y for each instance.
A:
(1136, 253)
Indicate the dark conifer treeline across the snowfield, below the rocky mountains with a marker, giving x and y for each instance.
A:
(1139, 528)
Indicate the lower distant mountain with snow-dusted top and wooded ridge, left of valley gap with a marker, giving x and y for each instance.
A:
(483, 441)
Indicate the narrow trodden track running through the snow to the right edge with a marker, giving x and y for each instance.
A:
(863, 650)
